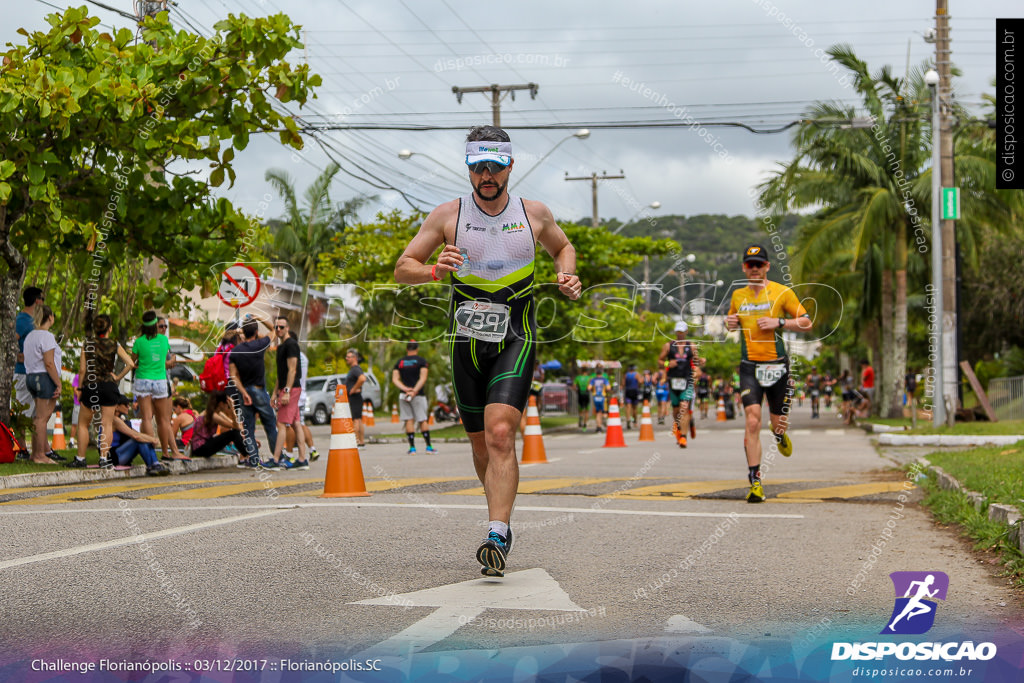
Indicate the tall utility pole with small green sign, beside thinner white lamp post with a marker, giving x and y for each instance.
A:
(951, 355)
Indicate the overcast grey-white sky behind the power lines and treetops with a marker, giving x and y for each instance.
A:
(394, 64)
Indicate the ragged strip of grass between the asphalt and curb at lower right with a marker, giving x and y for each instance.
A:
(955, 509)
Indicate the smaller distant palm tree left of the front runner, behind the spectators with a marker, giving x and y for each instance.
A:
(305, 234)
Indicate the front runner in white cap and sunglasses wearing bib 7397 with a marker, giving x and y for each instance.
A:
(490, 241)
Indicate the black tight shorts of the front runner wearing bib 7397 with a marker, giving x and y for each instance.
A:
(491, 373)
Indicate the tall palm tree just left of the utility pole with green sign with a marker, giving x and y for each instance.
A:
(873, 188)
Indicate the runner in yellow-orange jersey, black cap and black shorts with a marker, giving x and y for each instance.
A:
(762, 311)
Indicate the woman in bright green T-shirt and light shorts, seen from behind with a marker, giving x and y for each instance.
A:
(152, 353)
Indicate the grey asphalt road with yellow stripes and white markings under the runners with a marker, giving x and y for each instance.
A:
(645, 542)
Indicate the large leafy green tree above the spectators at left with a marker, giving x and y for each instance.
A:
(102, 139)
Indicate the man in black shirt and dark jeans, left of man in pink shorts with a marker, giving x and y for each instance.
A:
(246, 364)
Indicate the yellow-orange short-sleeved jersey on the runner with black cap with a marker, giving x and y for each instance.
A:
(774, 302)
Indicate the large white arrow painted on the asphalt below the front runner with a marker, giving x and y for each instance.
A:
(461, 604)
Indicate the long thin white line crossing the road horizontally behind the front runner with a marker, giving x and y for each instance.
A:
(414, 506)
